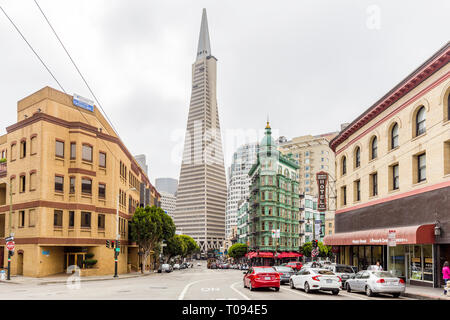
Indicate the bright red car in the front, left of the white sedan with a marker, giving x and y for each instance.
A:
(262, 277)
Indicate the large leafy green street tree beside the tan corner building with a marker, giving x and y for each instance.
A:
(150, 226)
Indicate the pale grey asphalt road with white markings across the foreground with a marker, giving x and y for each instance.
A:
(198, 283)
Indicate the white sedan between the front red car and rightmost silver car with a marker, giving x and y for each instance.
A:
(312, 279)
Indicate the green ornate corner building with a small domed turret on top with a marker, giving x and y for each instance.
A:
(274, 200)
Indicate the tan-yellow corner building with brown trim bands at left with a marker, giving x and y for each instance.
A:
(68, 171)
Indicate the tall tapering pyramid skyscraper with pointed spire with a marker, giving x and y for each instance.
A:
(202, 189)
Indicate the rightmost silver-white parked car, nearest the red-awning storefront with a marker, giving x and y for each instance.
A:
(372, 282)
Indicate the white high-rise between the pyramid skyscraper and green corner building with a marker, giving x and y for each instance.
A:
(238, 182)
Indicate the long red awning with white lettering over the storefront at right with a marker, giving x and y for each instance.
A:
(421, 234)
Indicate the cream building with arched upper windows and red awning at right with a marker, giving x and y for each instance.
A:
(393, 177)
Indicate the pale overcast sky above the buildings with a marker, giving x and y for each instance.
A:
(309, 65)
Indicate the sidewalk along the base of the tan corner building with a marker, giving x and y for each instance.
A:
(62, 278)
